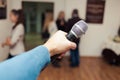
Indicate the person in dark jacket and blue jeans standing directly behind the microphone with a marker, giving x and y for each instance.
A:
(74, 54)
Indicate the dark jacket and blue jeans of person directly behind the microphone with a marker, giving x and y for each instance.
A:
(74, 54)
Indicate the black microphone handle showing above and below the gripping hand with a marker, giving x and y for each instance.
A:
(70, 37)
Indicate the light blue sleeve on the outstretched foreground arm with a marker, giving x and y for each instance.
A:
(26, 66)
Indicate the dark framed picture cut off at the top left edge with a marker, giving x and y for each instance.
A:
(3, 11)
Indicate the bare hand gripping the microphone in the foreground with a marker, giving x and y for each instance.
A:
(58, 43)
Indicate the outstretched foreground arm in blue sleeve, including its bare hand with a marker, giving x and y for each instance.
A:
(28, 65)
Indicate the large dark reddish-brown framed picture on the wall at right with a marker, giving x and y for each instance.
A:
(95, 11)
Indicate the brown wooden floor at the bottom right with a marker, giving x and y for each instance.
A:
(90, 69)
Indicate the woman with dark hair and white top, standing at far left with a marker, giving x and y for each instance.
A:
(16, 42)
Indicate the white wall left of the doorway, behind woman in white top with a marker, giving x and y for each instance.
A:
(5, 27)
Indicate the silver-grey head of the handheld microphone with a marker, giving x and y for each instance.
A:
(79, 28)
